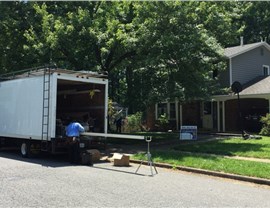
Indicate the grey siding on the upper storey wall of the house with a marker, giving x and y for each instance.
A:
(248, 66)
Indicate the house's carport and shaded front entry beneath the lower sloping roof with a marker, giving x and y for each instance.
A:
(254, 103)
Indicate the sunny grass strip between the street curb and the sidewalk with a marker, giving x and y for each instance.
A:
(213, 163)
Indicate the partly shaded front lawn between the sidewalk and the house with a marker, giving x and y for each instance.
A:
(259, 148)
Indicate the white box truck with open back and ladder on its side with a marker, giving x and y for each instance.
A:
(36, 104)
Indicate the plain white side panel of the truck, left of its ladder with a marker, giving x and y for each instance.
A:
(21, 104)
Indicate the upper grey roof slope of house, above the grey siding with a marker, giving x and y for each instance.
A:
(237, 50)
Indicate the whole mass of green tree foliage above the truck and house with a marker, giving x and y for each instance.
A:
(152, 51)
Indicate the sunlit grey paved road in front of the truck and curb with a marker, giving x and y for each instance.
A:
(53, 182)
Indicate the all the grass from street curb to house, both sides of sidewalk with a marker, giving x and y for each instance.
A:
(179, 156)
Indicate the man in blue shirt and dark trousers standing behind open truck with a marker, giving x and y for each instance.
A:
(73, 131)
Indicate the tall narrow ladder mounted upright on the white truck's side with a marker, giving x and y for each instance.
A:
(46, 109)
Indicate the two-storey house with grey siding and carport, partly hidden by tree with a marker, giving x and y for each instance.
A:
(247, 64)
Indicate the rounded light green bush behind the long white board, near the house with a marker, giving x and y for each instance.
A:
(133, 123)
